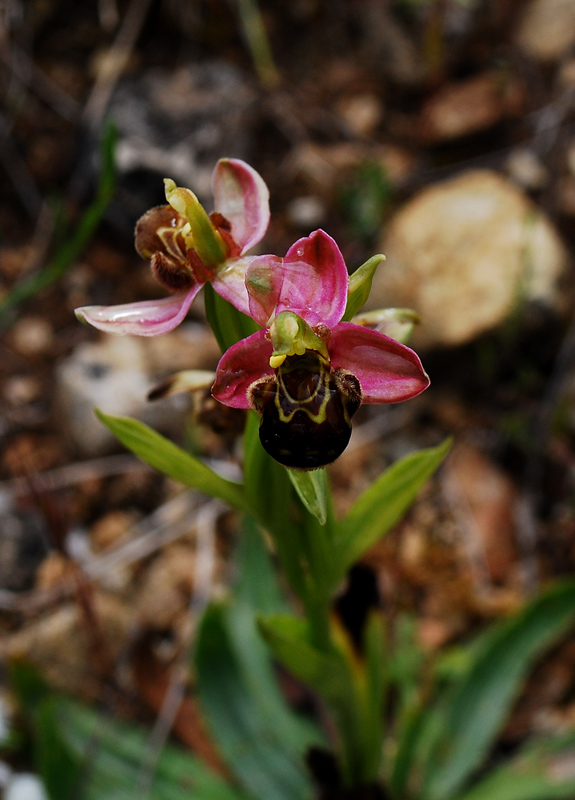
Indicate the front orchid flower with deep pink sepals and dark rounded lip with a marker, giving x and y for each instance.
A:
(306, 372)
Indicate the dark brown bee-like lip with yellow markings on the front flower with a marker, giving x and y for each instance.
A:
(306, 411)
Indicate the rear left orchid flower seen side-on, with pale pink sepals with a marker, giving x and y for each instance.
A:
(188, 248)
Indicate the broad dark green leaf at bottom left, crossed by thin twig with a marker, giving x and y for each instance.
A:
(82, 755)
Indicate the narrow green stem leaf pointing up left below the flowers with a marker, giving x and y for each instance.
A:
(171, 460)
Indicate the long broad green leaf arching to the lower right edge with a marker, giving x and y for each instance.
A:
(482, 699)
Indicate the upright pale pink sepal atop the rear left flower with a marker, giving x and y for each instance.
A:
(241, 195)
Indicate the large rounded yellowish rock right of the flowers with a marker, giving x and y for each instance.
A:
(464, 254)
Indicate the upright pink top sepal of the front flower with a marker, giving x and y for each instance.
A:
(315, 280)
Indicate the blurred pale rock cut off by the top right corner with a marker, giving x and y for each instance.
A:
(547, 29)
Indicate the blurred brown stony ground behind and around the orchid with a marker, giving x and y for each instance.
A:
(440, 133)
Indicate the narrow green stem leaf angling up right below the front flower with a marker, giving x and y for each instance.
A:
(384, 503)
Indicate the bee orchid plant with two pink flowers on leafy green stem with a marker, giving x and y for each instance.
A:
(300, 361)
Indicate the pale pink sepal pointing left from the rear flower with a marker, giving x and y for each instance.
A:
(146, 318)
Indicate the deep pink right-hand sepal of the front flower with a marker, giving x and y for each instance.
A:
(389, 372)
